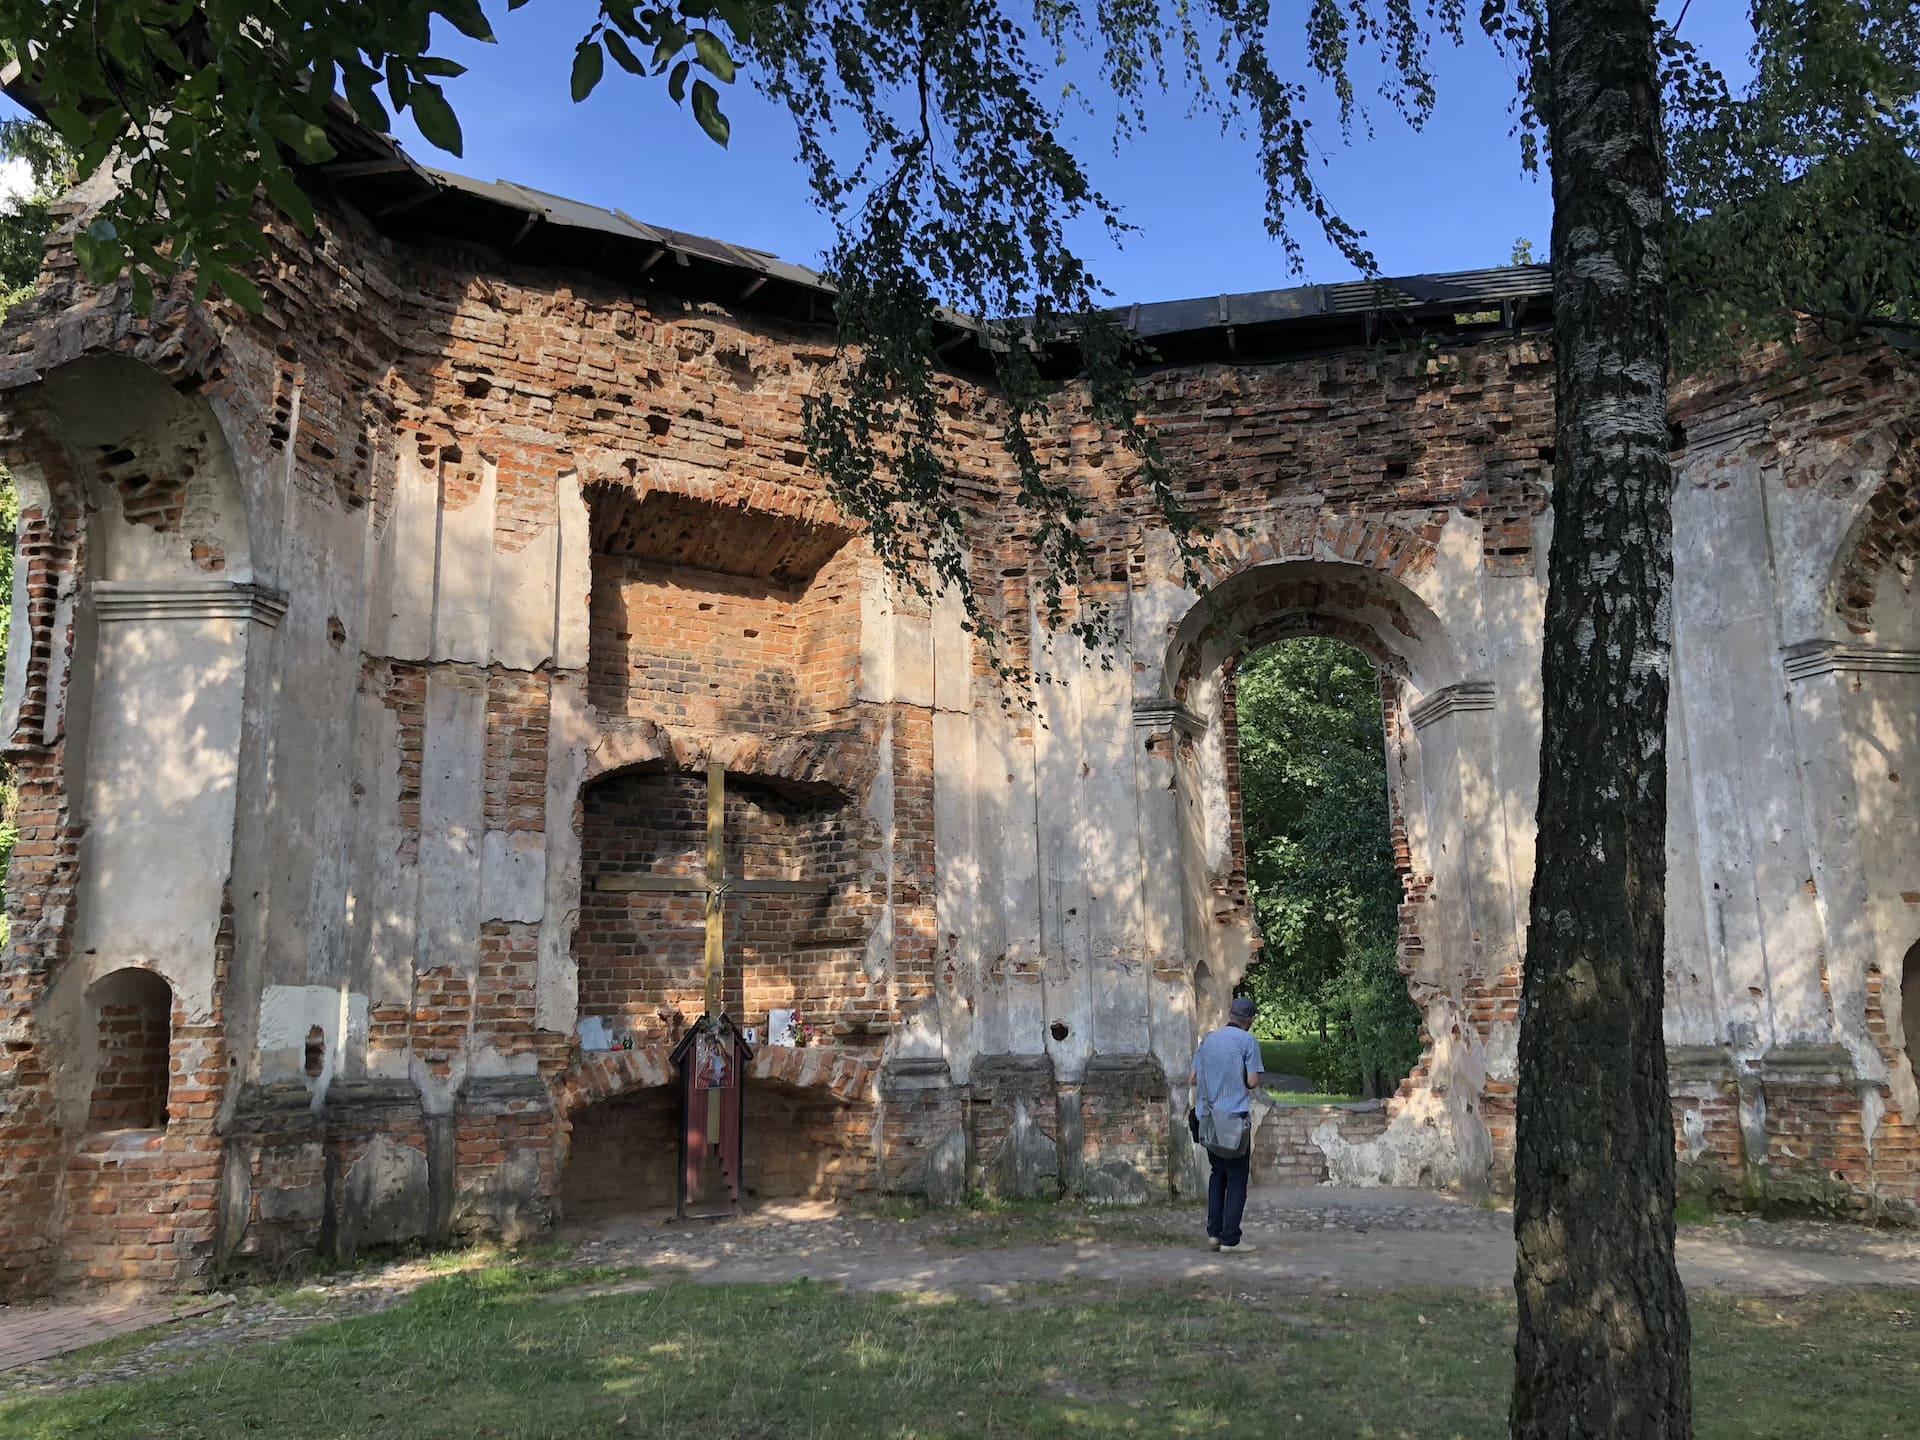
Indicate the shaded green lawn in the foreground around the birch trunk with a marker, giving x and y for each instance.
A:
(489, 1355)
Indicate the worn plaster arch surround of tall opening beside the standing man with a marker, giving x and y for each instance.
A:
(1452, 809)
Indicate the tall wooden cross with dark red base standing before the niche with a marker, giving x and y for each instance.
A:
(713, 1053)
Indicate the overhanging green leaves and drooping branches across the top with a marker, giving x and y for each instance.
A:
(932, 137)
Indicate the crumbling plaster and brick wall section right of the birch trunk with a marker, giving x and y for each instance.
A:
(1794, 838)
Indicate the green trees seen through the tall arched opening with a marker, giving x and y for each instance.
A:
(1320, 861)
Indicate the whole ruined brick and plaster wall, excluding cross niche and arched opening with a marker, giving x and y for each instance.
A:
(325, 759)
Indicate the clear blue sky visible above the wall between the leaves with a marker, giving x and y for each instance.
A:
(1452, 197)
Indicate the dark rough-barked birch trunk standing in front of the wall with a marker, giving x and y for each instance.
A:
(1604, 1328)
